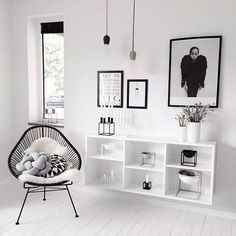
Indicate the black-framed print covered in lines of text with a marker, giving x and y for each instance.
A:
(110, 88)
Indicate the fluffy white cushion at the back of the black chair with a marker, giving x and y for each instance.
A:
(47, 145)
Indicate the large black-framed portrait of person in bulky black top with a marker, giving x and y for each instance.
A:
(194, 71)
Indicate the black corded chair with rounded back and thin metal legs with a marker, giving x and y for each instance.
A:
(16, 155)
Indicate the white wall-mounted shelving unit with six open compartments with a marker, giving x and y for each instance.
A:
(129, 175)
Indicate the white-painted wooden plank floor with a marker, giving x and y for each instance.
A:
(101, 214)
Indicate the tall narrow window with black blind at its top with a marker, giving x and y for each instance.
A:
(53, 69)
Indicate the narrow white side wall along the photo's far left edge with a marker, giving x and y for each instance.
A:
(5, 87)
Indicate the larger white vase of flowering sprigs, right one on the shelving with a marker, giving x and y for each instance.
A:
(195, 115)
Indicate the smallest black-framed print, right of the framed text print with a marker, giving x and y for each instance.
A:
(137, 94)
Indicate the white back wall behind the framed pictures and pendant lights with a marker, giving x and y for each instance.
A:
(157, 22)
